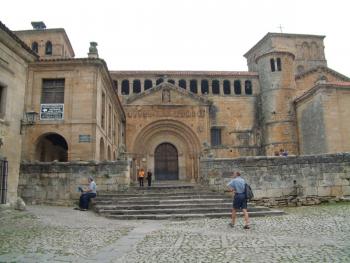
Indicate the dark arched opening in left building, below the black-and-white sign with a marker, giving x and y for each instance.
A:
(51, 147)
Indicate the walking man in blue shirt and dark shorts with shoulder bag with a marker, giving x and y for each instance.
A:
(237, 186)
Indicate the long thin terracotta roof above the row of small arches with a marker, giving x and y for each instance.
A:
(185, 73)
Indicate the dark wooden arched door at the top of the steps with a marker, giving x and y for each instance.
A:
(166, 164)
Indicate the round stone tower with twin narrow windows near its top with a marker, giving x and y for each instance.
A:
(277, 116)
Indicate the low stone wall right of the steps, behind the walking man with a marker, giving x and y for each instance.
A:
(272, 177)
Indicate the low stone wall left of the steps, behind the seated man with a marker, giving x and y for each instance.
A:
(56, 183)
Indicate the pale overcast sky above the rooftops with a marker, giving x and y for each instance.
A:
(185, 34)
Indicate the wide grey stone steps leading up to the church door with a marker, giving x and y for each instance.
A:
(170, 200)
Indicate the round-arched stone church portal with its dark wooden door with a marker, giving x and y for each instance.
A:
(169, 149)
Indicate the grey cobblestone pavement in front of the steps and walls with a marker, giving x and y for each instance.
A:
(57, 234)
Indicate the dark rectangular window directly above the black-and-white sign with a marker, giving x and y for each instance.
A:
(52, 91)
